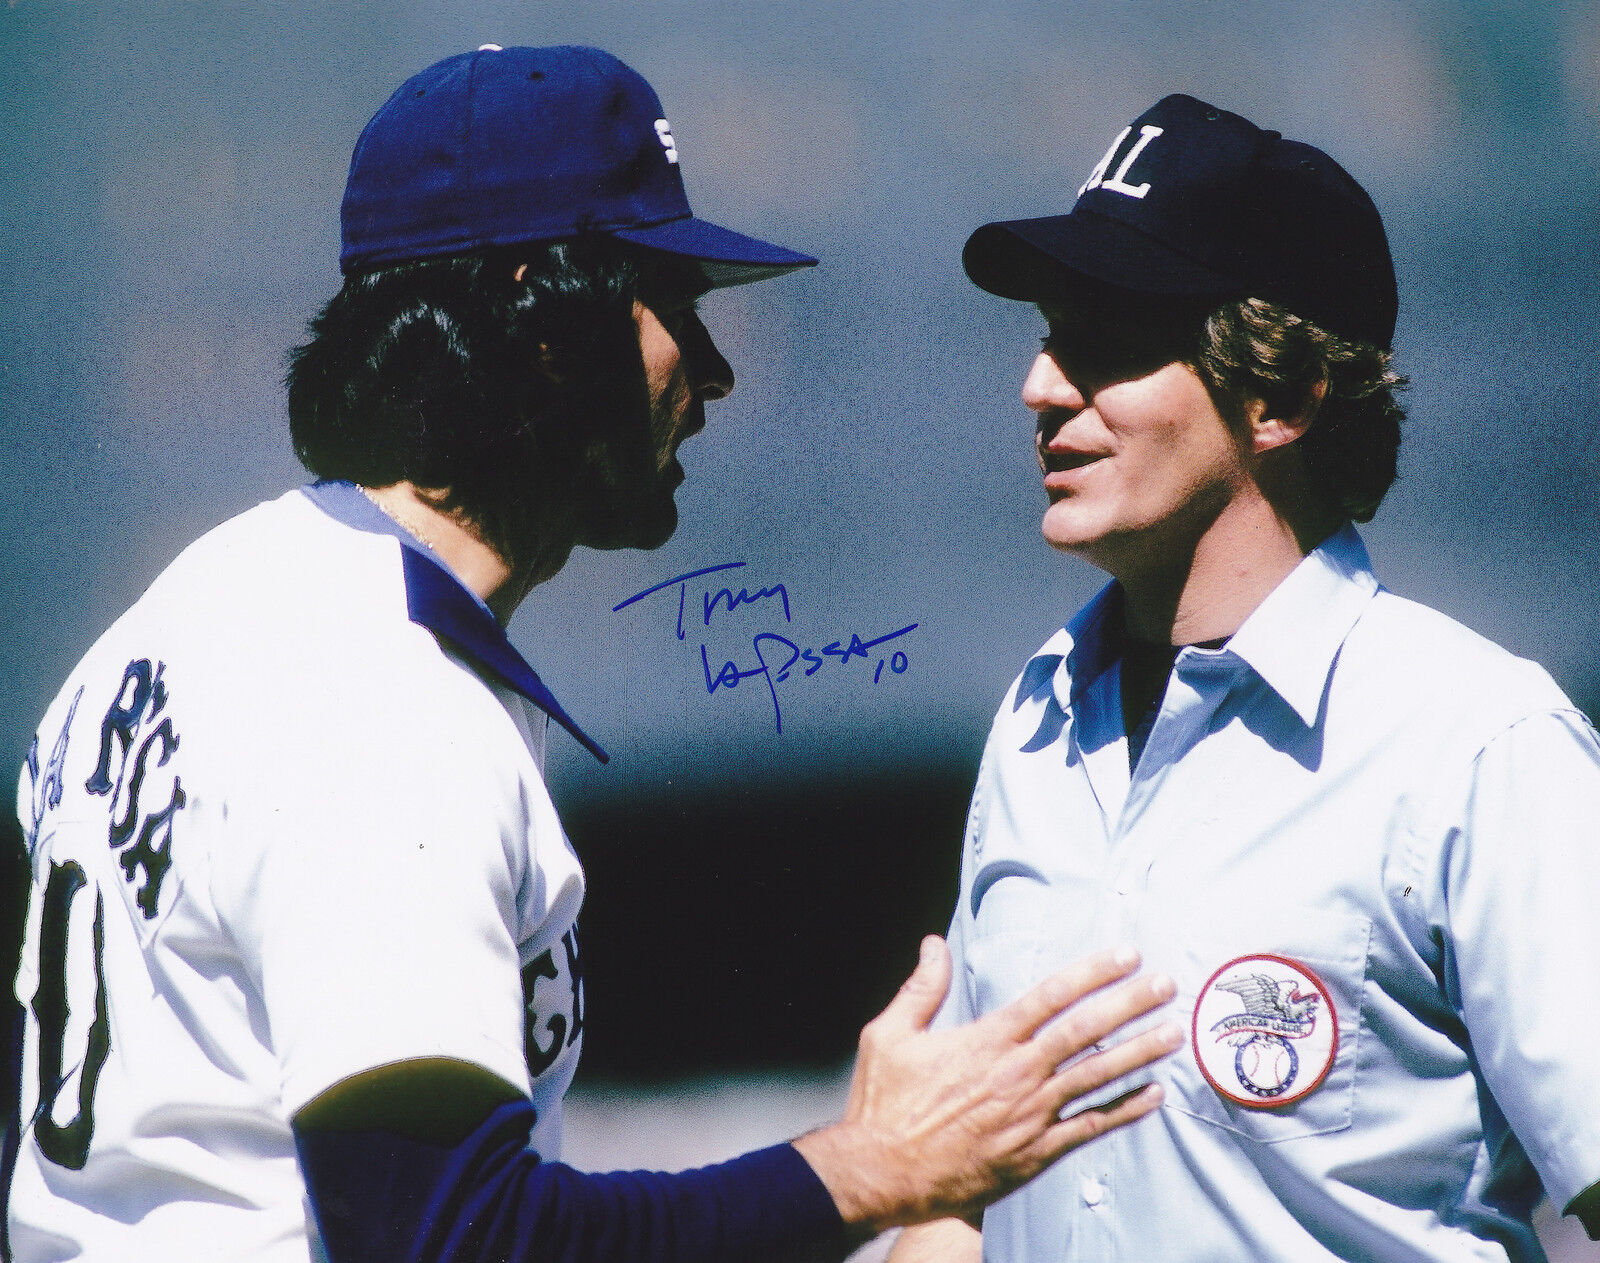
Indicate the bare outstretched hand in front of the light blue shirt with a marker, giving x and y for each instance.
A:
(943, 1123)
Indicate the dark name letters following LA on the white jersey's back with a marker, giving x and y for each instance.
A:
(135, 732)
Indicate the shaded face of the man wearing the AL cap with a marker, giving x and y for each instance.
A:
(1135, 457)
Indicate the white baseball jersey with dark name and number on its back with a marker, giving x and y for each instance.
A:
(281, 835)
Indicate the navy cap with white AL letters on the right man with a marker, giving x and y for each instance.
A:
(1194, 202)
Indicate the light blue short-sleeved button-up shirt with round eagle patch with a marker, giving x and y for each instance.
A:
(1367, 846)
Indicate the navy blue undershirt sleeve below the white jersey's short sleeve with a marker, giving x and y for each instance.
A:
(380, 1195)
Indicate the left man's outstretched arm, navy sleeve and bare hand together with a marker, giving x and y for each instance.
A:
(426, 1161)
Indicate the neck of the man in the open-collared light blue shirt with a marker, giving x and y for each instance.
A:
(1209, 590)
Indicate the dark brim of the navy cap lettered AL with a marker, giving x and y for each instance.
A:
(1036, 260)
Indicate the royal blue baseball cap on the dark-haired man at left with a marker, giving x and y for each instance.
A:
(511, 146)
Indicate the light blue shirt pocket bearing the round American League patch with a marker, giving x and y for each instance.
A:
(1274, 1014)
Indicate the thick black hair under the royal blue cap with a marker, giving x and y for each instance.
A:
(502, 379)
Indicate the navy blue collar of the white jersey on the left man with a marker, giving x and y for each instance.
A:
(436, 599)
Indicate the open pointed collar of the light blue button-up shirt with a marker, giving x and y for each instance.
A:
(1290, 641)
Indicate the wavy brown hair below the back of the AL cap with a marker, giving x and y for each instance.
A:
(1254, 350)
